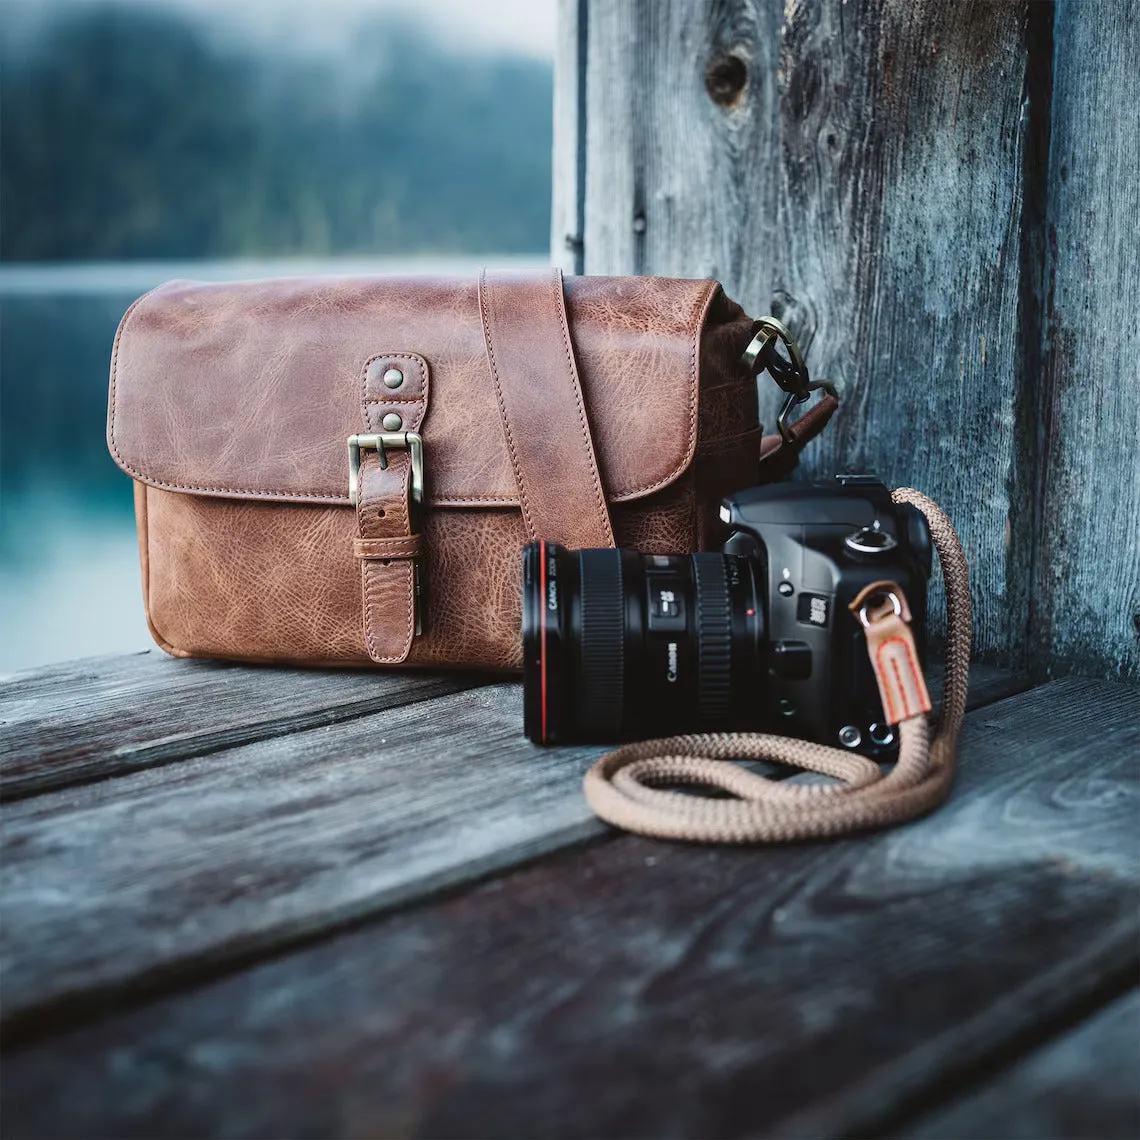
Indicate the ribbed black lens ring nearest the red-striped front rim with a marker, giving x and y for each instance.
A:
(604, 631)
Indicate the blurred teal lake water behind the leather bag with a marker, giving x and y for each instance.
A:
(70, 580)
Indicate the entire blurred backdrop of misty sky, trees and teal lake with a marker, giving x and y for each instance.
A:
(214, 140)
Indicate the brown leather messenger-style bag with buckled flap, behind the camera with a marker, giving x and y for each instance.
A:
(345, 471)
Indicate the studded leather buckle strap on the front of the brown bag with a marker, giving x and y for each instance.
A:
(385, 542)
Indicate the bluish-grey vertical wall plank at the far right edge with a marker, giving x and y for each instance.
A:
(1087, 582)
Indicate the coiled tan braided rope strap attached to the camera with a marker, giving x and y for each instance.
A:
(624, 786)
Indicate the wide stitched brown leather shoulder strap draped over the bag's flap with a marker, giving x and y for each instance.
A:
(544, 414)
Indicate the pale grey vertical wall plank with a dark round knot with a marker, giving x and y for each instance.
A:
(677, 151)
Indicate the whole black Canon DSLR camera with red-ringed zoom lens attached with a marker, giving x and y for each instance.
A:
(756, 637)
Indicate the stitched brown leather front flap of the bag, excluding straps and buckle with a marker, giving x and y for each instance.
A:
(250, 390)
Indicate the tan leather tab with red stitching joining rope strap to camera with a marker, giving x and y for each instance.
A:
(885, 615)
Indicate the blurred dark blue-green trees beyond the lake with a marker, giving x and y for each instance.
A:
(129, 133)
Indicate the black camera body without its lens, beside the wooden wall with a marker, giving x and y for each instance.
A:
(820, 545)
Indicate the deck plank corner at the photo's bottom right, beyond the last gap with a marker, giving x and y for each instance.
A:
(1085, 1085)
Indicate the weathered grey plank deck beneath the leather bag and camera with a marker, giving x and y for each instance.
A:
(266, 903)
